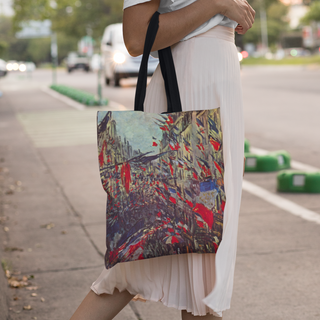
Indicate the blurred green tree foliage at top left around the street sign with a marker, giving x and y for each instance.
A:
(71, 19)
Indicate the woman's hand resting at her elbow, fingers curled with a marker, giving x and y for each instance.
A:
(239, 11)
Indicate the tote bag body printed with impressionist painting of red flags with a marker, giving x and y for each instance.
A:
(163, 174)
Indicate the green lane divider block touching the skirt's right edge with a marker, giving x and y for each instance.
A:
(273, 161)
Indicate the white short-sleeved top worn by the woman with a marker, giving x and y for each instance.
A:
(173, 5)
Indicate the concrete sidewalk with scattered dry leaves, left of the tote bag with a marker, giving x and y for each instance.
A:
(49, 226)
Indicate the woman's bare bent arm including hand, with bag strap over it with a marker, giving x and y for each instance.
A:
(174, 26)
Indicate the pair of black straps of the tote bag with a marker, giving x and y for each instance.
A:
(167, 70)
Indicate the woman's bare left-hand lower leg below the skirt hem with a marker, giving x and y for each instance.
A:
(102, 307)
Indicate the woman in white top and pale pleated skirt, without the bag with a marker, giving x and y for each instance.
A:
(201, 34)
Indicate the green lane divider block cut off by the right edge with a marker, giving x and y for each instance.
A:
(298, 181)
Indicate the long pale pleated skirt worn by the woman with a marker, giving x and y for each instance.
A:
(208, 74)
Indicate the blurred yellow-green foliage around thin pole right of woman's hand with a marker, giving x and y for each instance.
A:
(276, 22)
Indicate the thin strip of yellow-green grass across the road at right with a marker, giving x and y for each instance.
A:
(284, 61)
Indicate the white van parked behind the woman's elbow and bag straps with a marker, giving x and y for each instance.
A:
(117, 62)
